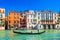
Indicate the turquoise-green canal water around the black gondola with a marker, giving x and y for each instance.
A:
(48, 35)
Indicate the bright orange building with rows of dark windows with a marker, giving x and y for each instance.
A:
(14, 18)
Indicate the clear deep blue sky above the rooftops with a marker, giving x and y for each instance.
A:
(21, 5)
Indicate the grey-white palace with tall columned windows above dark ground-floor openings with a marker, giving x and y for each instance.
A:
(47, 19)
